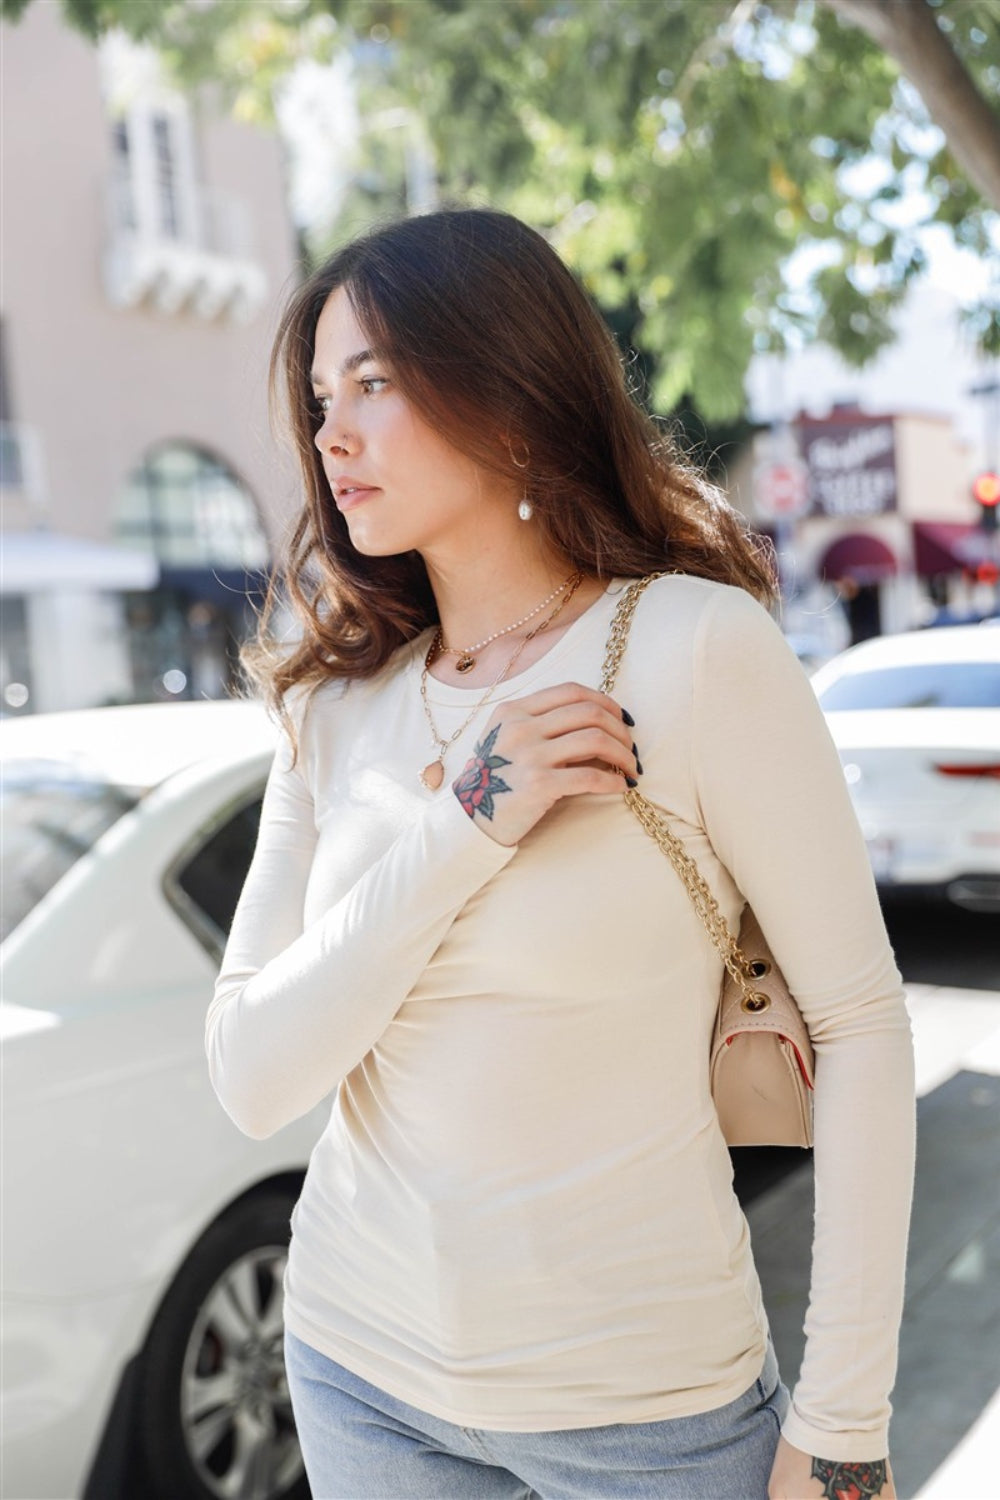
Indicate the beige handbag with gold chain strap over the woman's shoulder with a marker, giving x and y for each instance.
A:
(762, 1066)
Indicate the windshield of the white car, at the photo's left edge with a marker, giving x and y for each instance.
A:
(52, 818)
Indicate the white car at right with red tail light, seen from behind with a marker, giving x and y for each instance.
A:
(917, 721)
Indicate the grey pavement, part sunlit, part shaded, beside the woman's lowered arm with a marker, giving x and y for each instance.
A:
(947, 1406)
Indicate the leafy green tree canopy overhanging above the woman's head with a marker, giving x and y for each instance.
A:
(677, 152)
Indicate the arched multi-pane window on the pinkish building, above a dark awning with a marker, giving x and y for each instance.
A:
(191, 511)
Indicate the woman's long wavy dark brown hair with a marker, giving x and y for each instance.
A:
(497, 347)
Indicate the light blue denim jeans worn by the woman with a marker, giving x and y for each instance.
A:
(361, 1444)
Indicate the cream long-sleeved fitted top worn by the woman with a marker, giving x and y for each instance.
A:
(521, 1213)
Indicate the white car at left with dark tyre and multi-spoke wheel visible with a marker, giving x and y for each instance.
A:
(145, 1238)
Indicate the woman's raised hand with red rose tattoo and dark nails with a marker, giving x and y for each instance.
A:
(539, 749)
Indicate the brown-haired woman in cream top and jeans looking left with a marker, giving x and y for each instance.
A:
(518, 1268)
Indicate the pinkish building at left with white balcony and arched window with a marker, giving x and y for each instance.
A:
(148, 248)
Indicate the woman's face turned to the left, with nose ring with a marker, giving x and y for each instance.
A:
(397, 482)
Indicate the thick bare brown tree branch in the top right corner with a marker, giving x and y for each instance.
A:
(909, 32)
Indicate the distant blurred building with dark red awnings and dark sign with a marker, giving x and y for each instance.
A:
(873, 518)
